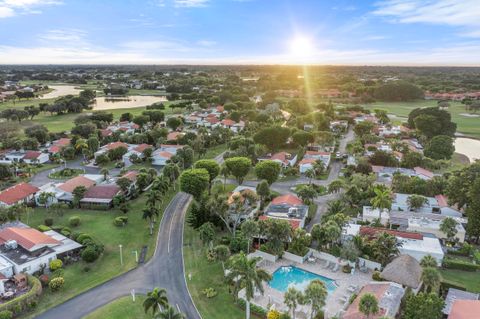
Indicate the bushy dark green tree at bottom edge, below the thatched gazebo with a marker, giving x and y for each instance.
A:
(423, 305)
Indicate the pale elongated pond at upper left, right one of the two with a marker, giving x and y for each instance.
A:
(108, 103)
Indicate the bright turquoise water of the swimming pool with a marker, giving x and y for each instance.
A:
(291, 276)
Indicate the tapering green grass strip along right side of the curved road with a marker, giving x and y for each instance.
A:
(206, 274)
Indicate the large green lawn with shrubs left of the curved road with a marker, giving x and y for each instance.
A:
(100, 225)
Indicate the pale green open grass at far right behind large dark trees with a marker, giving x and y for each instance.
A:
(469, 126)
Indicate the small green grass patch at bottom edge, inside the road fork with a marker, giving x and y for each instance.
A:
(122, 308)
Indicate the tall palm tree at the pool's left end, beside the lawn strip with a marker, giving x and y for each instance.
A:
(244, 273)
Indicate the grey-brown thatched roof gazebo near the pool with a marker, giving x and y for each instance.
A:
(404, 270)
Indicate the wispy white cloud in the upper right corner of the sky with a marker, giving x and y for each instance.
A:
(464, 13)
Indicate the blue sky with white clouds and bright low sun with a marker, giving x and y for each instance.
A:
(341, 32)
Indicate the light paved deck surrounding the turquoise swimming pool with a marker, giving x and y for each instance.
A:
(334, 304)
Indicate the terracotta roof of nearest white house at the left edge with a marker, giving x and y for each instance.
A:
(28, 238)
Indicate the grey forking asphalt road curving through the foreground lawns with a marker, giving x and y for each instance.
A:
(164, 270)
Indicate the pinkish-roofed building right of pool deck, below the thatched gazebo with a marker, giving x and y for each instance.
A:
(388, 294)
